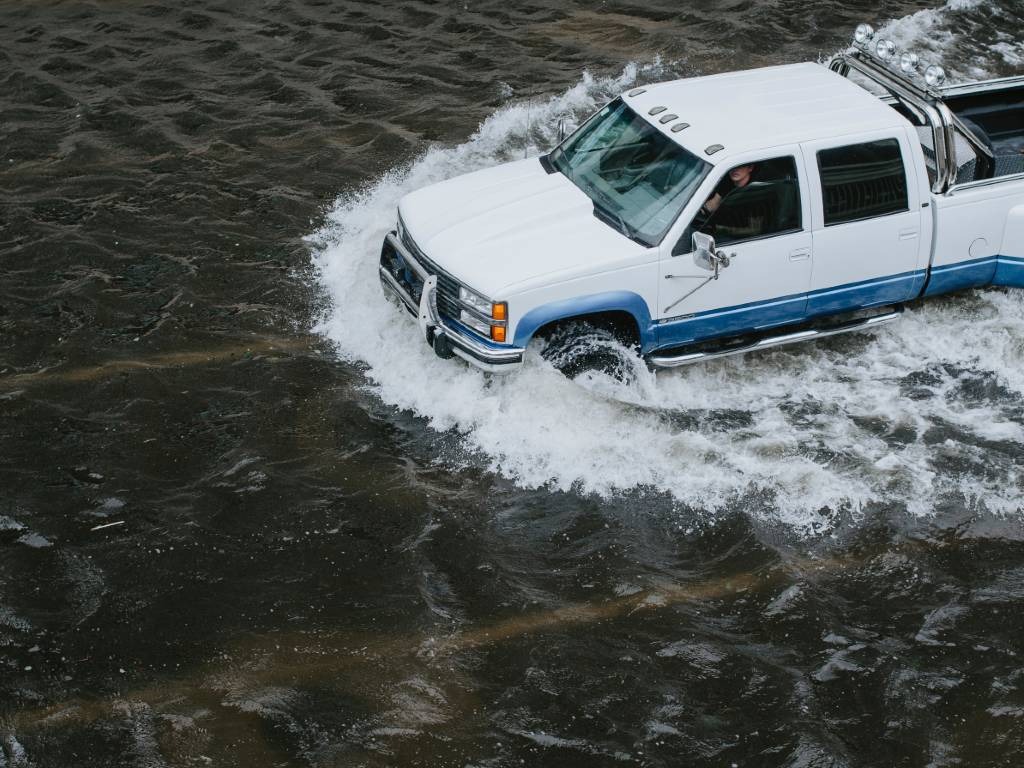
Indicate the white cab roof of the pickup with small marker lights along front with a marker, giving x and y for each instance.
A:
(759, 109)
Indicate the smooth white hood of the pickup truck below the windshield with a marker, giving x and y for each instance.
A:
(499, 230)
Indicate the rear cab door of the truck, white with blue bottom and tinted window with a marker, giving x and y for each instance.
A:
(870, 248)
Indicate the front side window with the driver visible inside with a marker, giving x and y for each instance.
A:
(753, 201)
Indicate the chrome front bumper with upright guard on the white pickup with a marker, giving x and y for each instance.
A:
(447, 336)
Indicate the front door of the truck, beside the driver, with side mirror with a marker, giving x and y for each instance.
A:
(766, 225)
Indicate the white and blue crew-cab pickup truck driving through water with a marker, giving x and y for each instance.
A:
(714, 216)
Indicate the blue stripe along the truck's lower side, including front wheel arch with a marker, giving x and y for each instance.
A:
(992, 271)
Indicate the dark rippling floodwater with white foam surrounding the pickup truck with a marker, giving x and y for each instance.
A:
(247, 520)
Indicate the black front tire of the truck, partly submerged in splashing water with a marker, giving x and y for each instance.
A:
(580, 348)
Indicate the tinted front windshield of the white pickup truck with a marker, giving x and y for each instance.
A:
(638, 179)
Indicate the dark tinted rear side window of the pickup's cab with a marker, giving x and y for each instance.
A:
(861, 182)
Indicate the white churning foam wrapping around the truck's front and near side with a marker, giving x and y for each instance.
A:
(827, 426)
